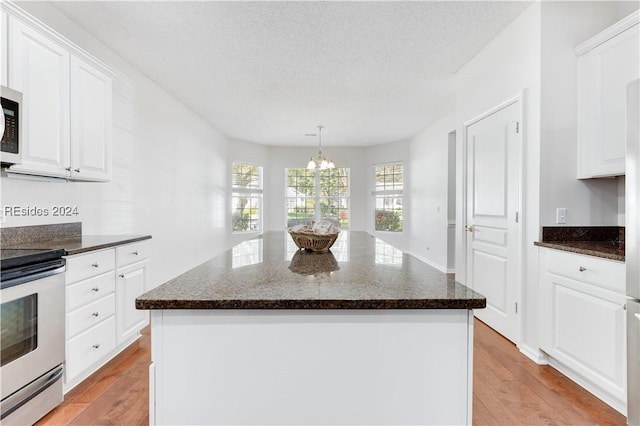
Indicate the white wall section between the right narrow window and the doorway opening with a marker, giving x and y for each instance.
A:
(429, 165)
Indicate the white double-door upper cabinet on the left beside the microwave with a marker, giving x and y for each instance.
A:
(66, 101)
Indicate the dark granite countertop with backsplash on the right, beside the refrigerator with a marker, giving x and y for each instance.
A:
(601, 241)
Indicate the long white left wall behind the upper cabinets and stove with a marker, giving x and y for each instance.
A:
(169, 171)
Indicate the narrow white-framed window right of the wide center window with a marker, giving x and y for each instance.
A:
(388, 197)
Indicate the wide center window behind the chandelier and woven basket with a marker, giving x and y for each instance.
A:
(317, 194)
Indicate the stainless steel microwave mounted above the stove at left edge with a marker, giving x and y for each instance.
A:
(11, 152)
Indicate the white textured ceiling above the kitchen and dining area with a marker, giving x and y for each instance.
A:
(269, 72)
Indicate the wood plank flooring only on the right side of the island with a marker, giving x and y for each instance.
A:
(510, 389)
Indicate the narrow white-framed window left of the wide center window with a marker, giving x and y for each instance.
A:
(246, 199)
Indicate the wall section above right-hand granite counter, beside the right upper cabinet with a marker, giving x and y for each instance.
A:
(564, 26)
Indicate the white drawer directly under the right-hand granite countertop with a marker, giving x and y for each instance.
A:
(603, 273)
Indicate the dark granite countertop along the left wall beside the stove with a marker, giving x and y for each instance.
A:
(81, 244)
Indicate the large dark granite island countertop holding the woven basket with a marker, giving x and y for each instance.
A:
(268, 272)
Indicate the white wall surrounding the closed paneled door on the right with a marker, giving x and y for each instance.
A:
(506, 68)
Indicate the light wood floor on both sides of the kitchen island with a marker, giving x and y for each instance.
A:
(509, 389)
